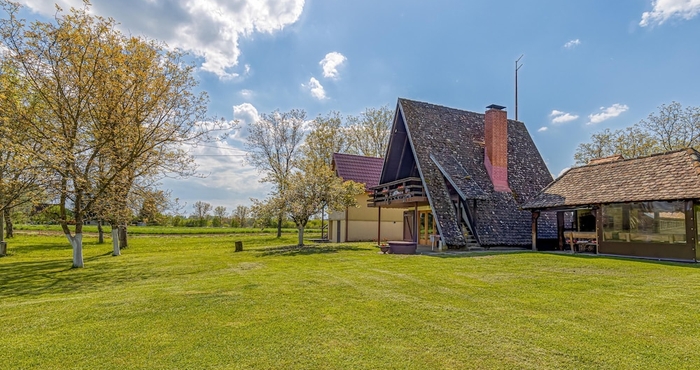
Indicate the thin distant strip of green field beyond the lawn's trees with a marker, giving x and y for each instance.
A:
(164, 230)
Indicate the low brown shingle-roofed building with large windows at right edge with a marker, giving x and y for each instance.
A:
(642, 207)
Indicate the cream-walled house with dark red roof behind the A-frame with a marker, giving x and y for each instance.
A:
(362, 223)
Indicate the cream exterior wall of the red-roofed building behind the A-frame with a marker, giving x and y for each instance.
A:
(362, 223)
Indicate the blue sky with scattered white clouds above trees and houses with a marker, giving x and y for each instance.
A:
(587, 65)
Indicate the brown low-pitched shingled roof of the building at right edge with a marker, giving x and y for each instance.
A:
(667, 176)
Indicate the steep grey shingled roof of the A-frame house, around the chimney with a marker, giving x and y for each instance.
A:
(448, 143)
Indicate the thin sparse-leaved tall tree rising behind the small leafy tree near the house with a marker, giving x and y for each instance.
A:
(273, 148)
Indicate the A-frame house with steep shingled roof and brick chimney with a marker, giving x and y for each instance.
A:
(461, 176)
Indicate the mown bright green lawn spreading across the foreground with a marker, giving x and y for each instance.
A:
(190, 302)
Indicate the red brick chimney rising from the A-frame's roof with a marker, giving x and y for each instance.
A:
(496, 148)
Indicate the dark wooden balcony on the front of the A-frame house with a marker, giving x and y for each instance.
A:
(402, 193)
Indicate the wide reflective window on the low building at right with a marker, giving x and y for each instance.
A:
(647, 222)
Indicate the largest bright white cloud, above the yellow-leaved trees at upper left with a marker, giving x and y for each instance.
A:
(210, 29)
